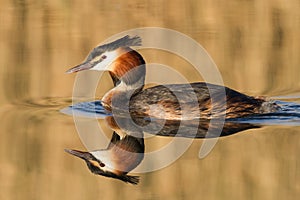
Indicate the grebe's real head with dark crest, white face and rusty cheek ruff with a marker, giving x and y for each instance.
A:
(118, 58)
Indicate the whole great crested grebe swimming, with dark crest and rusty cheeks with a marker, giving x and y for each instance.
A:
(127, 69)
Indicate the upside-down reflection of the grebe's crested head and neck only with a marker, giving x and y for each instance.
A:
(120, 157)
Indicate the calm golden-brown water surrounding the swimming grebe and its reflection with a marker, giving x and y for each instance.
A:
(255, 45)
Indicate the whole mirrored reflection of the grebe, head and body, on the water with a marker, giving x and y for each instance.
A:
(125, 153)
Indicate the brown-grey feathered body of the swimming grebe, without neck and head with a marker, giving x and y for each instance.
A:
(168, 101)
